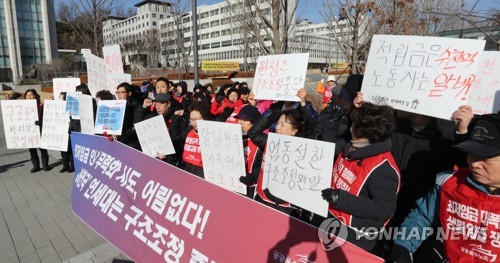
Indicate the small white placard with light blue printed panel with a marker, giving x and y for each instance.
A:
(109, 117)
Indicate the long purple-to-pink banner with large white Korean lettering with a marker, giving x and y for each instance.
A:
(154, 212)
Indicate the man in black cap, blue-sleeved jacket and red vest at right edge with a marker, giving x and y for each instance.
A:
(464, 204)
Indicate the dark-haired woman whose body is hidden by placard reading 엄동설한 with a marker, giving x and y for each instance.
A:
(292, 122)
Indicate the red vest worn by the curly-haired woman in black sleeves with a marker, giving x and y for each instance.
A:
(350, 177)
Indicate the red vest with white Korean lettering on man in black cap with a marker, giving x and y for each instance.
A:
(470, 219)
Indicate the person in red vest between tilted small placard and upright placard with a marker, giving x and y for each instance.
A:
(185, 129)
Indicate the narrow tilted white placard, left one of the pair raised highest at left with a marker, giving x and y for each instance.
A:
(96, 72)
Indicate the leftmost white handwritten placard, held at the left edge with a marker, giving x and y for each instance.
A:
(19, 117)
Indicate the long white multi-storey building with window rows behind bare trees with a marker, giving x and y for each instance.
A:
(222, 36)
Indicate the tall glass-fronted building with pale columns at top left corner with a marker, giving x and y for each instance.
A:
(28, 36)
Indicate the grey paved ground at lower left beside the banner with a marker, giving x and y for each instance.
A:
(36, 220)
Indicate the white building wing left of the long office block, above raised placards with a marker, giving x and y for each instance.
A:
(138, 36)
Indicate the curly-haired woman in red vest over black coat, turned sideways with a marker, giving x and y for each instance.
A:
(365, 177)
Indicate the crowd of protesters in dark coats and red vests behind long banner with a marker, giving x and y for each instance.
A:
(394, 155)
